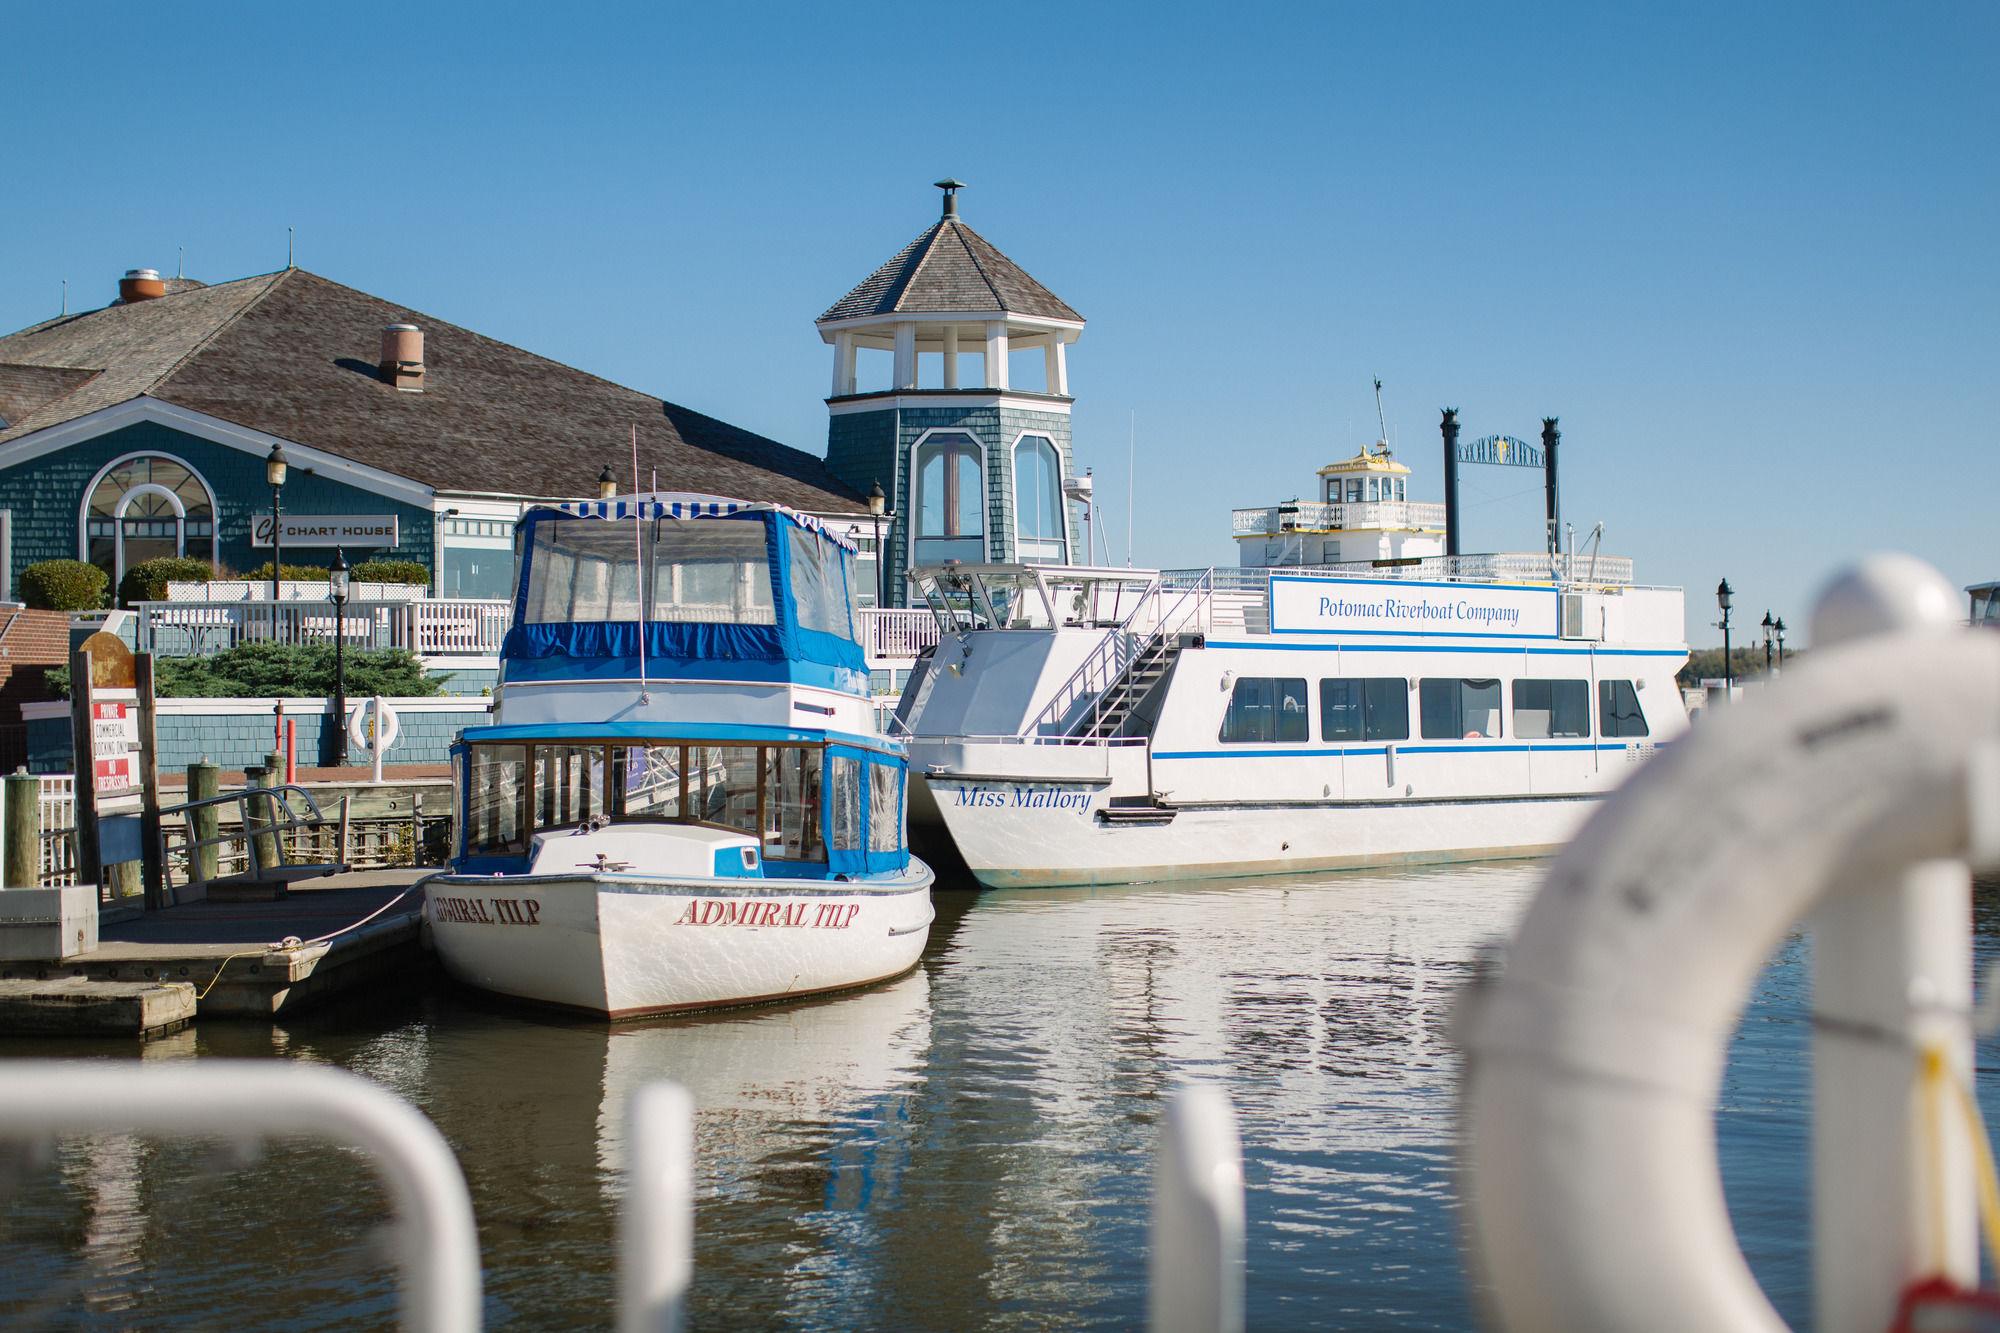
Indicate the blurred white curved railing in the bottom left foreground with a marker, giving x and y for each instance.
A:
(437, 1246)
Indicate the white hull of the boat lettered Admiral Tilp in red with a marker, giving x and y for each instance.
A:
(631, 946)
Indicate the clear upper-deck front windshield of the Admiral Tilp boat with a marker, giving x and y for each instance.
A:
(711, 571)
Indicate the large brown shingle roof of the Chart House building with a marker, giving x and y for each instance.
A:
(295, 355)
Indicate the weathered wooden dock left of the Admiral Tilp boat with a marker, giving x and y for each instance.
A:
(227, 960)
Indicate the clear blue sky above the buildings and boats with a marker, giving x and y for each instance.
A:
(1747, 253)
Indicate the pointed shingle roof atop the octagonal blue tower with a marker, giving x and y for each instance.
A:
(951, 269)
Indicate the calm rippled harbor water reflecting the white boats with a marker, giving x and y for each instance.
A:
(965, 1148)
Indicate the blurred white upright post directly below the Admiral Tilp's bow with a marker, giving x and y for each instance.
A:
(657, 1228)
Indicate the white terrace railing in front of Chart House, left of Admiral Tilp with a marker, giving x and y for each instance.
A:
(429, 627)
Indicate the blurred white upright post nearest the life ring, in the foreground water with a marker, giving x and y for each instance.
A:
(1195, 1274)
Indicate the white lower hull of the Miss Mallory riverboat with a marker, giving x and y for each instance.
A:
(1017, 836)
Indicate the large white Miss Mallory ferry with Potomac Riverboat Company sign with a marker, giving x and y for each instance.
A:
(1367, 704)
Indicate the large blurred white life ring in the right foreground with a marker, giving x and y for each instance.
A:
(1595, 1060)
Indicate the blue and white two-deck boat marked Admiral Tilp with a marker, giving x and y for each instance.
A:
(689, 808)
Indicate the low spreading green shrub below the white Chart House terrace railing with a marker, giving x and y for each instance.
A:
(285, 672)
